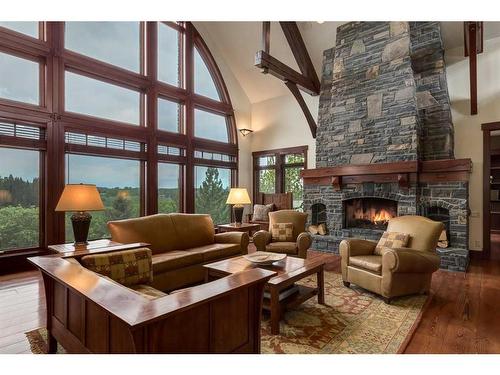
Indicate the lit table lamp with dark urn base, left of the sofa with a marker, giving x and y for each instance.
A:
(80, 198)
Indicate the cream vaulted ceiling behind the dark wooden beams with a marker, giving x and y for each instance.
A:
(239, 41)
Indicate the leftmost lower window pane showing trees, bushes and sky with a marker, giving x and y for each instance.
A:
(19, 215)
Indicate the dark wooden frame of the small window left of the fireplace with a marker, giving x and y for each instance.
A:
(279, 166)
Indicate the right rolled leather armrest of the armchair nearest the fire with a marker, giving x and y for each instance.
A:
(406, 260)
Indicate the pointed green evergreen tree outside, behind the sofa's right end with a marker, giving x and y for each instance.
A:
(211, 197)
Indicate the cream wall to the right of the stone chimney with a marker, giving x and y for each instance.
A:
(468, 134)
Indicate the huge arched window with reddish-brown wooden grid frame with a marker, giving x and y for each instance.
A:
(138, 108)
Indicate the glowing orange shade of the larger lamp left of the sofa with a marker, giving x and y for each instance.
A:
(80, 197)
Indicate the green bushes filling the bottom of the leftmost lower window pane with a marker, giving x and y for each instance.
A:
(18, 227)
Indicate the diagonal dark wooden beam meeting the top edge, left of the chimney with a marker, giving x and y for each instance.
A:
(299, 50)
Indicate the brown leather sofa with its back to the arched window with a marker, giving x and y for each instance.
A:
(181, 244)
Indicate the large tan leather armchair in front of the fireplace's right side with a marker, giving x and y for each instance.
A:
(396, 272)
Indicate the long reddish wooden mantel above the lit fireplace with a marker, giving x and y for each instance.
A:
(403, 172)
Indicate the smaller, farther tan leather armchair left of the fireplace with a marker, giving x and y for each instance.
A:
(300, 241)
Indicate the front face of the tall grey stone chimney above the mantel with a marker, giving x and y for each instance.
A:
(368, 109)
